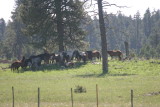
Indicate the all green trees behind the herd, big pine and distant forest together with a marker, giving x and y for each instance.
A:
(37, 24)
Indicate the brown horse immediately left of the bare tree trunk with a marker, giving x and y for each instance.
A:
(92, 54)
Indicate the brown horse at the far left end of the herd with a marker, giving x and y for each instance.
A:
(15, 65)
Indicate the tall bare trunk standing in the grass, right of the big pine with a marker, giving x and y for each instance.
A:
(103, 38)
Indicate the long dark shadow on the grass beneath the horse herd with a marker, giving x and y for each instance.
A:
(51, 67)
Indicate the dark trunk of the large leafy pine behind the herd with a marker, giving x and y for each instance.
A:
(60, 27)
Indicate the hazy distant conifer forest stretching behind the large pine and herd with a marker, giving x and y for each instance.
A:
(141, 32)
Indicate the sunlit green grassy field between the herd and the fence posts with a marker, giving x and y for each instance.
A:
(55, 83)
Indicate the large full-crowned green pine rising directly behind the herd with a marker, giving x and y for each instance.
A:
(57, 20)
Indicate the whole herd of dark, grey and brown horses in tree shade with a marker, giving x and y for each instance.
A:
(64, 58)
